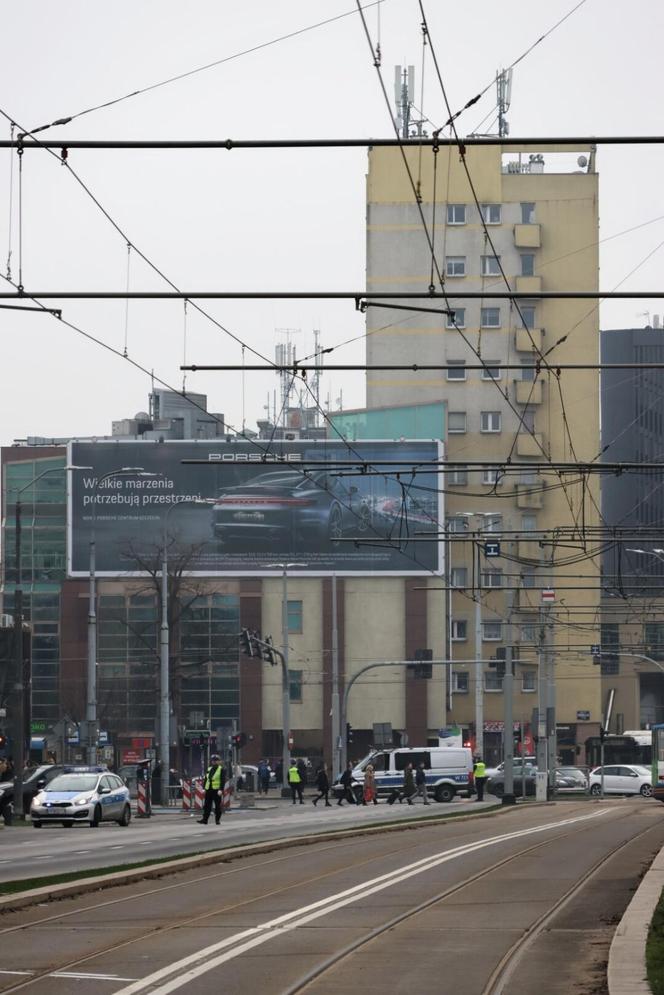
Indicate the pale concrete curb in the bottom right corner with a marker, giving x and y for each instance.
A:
(626, 974)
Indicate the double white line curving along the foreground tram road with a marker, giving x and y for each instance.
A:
(205, 960)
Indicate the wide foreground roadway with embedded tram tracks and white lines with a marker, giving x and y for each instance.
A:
(519, 903)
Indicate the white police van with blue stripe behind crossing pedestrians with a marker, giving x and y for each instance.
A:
(449, 769)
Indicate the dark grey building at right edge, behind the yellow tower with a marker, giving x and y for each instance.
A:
(632, 657)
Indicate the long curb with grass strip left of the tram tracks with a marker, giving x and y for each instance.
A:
(101, 882)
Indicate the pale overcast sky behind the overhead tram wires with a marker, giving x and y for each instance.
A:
(261, 220)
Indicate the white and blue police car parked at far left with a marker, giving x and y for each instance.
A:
(82, 794)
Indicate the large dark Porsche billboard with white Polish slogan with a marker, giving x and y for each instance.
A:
(247, 505)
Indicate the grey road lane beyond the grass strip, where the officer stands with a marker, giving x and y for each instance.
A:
(26, 852)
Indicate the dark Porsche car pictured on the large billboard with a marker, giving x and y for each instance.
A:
(291, 509)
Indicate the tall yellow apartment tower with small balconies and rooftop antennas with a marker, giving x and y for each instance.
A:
(536, 218)
